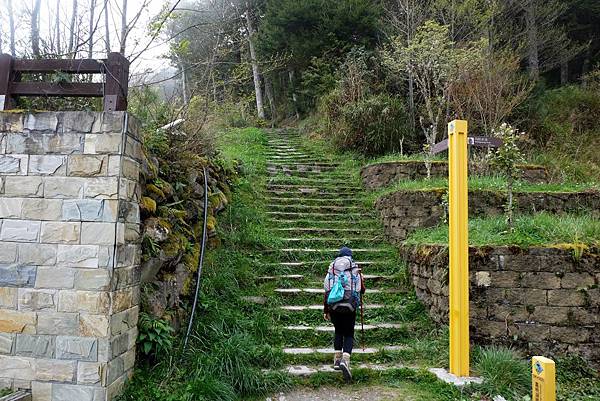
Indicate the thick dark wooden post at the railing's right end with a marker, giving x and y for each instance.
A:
(117, 83)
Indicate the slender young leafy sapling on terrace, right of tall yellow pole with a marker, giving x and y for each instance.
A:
(505, 160)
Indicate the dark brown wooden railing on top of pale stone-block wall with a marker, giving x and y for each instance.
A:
(113, 89)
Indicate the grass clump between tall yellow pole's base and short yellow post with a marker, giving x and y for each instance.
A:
(504, 372)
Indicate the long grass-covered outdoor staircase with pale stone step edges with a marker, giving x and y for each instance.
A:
(315, 208)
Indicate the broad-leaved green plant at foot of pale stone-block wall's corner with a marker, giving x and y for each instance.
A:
(155, 336)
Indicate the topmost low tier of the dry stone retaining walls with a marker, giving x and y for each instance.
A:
(381, 175)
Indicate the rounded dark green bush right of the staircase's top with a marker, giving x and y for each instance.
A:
(374, 125)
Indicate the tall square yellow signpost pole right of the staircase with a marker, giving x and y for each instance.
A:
(459, 248)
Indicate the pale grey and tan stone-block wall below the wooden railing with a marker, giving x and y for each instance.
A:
(69, 253)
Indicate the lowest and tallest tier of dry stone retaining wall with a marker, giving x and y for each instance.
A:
(545, 300)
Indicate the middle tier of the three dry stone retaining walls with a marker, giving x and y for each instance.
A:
(405, 211)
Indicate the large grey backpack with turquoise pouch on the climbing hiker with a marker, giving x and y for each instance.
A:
(342, 291)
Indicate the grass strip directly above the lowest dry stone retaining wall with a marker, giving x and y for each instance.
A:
(529, 230)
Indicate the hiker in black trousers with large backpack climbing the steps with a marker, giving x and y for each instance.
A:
(344, 287)
